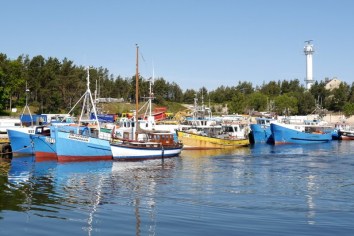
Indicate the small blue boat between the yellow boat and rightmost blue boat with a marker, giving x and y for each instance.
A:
(260, 132)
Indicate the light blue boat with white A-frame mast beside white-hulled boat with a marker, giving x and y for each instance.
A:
(83, 143)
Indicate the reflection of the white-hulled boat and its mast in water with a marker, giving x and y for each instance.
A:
(143, 190)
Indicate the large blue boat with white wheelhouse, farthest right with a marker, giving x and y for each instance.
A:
(306, 133)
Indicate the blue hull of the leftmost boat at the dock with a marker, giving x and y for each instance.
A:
(21, 142)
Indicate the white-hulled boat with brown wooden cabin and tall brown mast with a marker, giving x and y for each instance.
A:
(145, 145)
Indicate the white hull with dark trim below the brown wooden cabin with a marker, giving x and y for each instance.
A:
(127, 152)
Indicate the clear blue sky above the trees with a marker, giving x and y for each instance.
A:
(193, 43)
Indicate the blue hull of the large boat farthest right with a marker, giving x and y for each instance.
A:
(283, 135)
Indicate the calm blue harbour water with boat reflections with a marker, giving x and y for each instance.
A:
(262, 190)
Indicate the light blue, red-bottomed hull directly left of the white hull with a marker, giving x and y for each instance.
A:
(75, 147)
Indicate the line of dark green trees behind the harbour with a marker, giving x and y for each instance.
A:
(54, 86)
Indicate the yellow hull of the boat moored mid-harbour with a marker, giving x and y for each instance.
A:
(194, 141)
